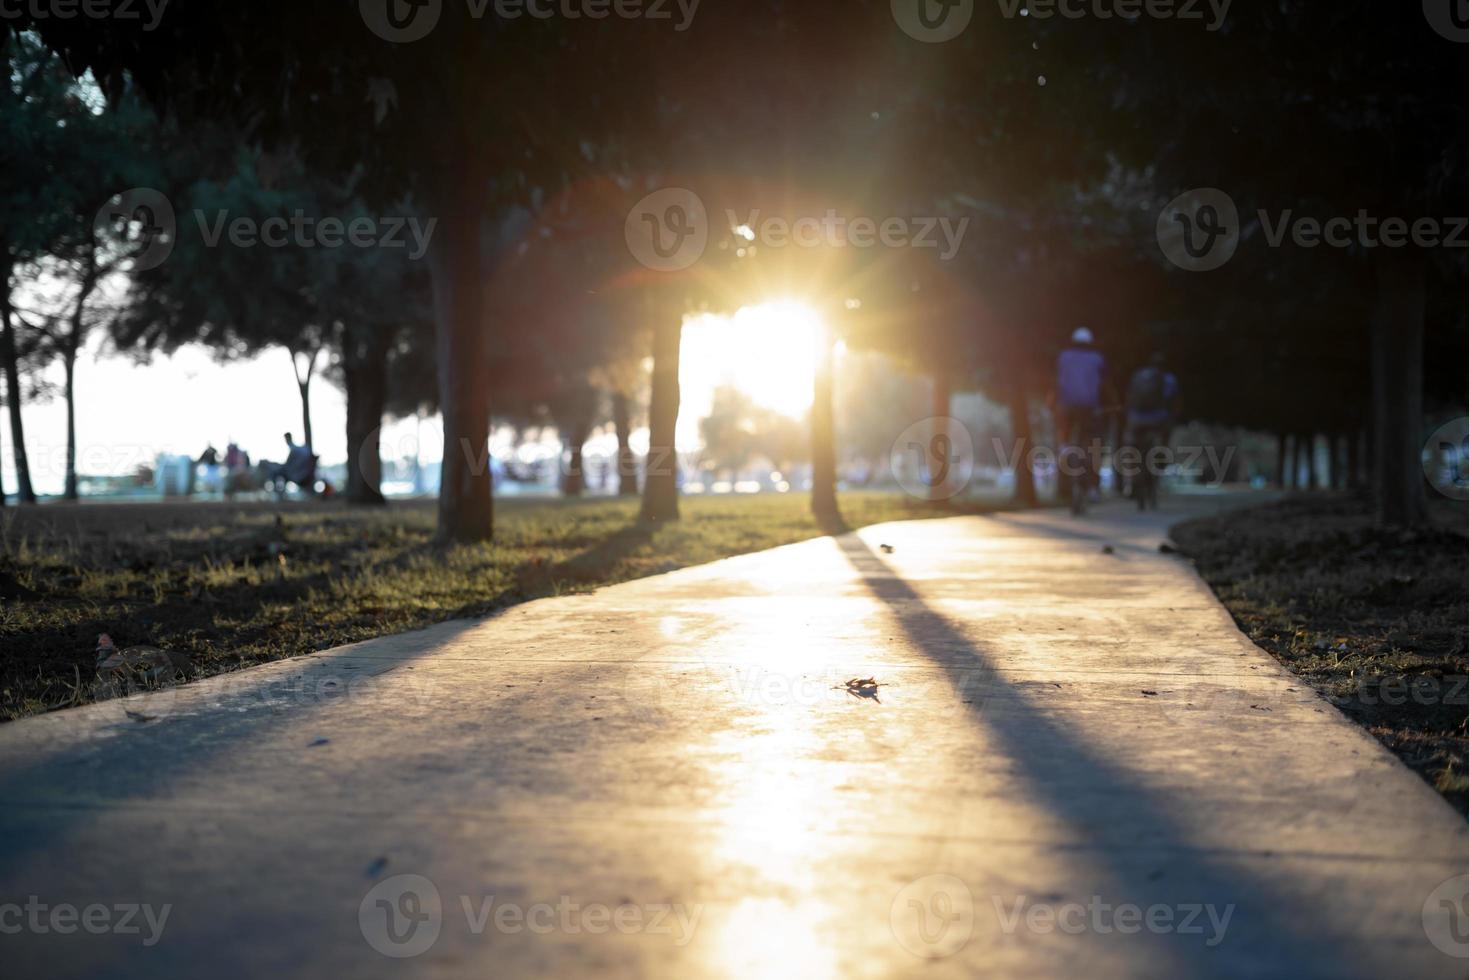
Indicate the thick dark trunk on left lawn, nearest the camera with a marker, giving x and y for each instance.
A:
(466, 506)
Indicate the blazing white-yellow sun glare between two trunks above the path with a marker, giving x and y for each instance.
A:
(769, 352)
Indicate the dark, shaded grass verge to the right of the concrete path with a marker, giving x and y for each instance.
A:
(1377, 621)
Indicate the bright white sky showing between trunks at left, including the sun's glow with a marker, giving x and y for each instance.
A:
(129, 414)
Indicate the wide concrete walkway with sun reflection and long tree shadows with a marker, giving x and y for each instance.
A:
(1075, 766)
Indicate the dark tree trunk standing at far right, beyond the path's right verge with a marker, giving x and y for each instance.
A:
(1398, 387)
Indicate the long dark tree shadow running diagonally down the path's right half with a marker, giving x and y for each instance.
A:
(1268, 934)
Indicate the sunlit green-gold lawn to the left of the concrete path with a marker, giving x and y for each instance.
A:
(242, 584)
